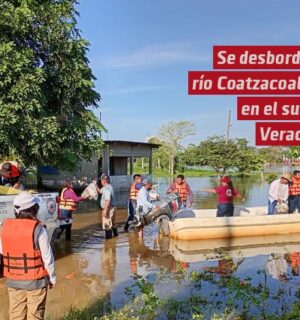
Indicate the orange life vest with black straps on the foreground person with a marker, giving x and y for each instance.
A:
(22, 260)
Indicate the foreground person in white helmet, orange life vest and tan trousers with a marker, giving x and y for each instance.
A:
(28, 261)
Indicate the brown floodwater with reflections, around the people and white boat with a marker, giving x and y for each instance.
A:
(90, 267)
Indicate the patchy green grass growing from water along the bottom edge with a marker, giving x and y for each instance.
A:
(232, 298)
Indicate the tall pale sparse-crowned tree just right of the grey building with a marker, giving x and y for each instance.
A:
(171, 135)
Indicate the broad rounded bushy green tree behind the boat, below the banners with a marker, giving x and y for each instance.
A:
(222, 155)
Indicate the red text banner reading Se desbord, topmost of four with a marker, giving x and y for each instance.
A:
(256, 57)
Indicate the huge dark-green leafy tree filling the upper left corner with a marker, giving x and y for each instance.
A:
(47, 87)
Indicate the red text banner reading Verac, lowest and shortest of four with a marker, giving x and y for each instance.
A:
(277, 134)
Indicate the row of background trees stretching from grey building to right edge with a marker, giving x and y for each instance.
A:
(217, 152)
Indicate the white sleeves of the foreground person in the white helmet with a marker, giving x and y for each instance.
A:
(46, 253)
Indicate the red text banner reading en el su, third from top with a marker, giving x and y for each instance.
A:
(268, 108)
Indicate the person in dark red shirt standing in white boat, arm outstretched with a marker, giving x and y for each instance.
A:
(226, 193)
